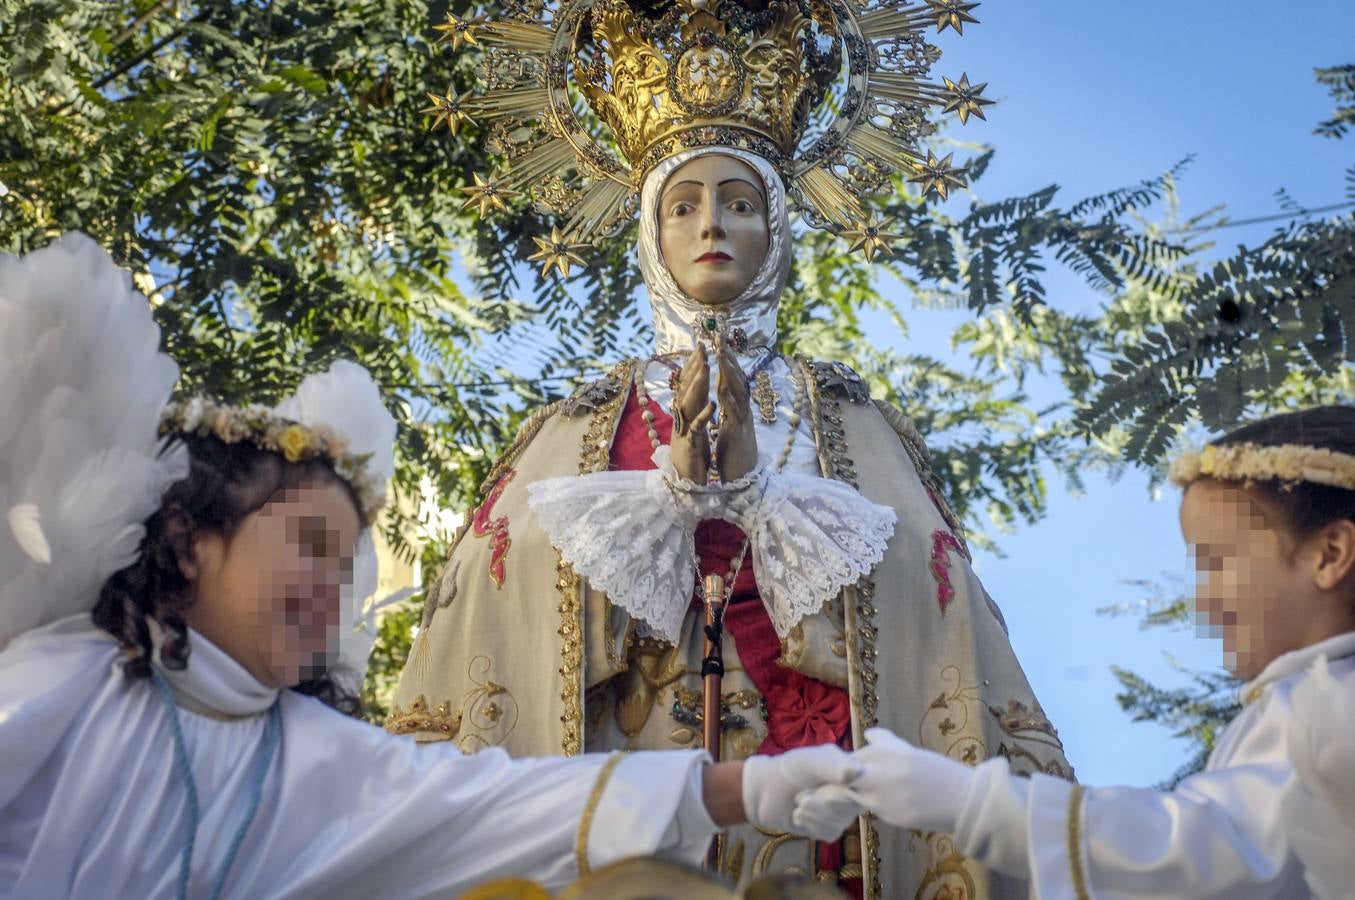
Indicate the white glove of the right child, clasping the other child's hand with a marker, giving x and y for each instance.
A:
(906, 787)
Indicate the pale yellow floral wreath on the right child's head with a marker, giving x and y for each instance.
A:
(1289, 464)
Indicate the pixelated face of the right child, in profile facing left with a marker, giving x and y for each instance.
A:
(1253, 588)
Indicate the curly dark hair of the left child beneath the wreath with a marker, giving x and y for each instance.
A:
(227, 482)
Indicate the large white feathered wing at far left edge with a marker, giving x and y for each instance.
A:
(82, 388)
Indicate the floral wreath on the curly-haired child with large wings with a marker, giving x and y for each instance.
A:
(297, 443)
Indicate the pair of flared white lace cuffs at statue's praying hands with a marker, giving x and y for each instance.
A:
(632, 536)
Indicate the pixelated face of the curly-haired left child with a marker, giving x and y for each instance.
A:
(269, 596)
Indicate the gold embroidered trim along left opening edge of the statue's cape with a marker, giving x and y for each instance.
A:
(596, 456)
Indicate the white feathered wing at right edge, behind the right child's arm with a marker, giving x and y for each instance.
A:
(1320, 800)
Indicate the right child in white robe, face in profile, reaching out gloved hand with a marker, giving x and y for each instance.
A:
(1269, 514)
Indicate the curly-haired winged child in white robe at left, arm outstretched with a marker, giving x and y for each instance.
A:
(157, 650)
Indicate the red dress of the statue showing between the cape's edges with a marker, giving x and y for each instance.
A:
(801, 711)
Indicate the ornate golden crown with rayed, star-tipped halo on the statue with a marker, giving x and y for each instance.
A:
(583, 98)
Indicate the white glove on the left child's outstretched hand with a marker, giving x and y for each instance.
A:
(772, 785)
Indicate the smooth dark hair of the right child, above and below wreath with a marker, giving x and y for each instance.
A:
(1306, 508)
